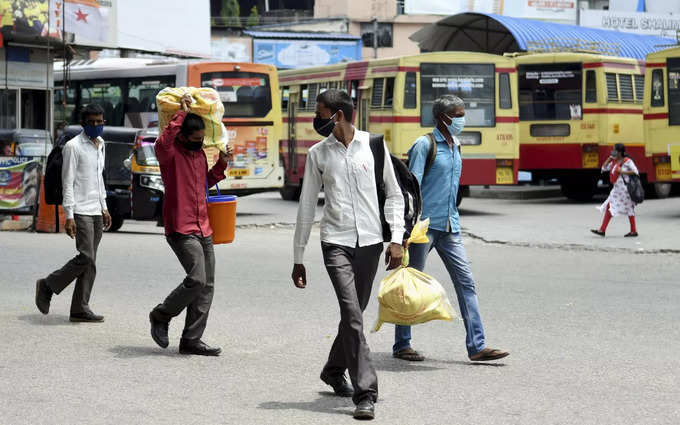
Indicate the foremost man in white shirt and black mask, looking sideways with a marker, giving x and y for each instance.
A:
(351, 237)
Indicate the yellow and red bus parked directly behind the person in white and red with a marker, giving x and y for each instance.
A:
(573, 107)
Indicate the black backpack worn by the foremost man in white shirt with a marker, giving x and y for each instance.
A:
(408, 184)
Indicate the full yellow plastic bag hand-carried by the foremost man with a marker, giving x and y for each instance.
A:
(408, 296)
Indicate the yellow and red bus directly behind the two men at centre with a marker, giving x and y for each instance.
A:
(394, 97)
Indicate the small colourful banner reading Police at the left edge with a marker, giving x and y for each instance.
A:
(19, 182)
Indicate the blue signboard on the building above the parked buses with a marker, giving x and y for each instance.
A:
(286, 54)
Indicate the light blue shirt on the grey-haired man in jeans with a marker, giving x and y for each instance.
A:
(440, 186)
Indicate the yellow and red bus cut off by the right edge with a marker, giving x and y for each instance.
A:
(662, 117)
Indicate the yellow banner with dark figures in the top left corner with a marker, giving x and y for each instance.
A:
(24, 17)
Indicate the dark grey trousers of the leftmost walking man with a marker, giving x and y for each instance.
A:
(82, 267)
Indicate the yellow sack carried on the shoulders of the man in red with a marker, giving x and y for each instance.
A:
(206, 103)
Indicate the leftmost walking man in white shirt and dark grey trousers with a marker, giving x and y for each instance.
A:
(86, 217)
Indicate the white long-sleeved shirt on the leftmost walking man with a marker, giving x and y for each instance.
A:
(81, 176)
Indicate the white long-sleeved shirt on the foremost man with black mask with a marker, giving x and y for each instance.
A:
(351, 214)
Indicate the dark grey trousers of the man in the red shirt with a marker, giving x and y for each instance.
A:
(195, 293)
